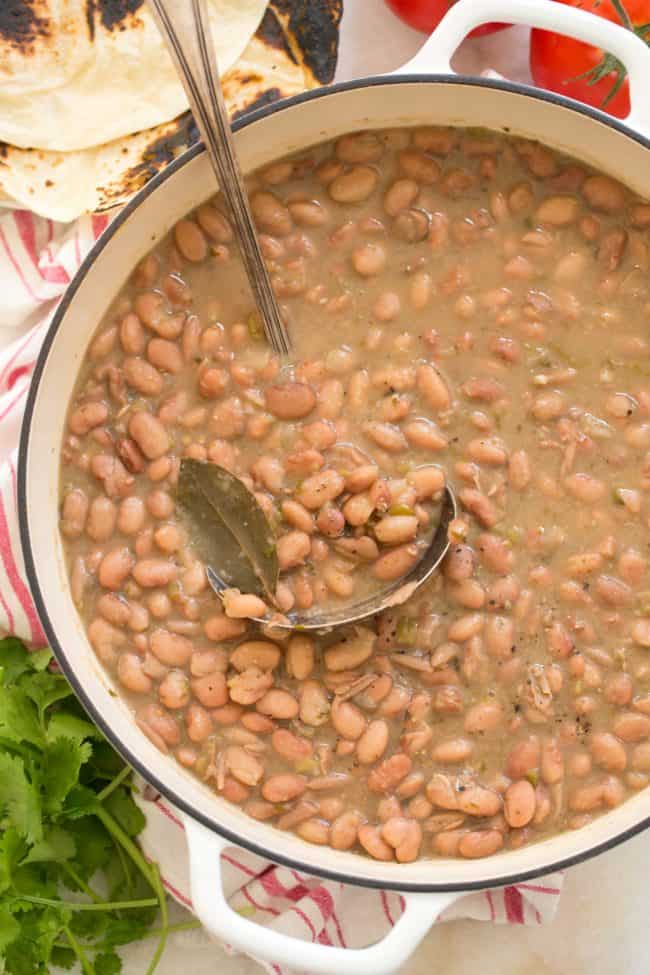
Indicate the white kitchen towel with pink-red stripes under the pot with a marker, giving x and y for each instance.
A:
(37, 260)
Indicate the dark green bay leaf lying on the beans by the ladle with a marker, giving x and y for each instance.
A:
(228, 527)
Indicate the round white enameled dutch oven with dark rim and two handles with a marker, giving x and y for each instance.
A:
(424, 92)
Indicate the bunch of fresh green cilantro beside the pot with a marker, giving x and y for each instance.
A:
(74, 885)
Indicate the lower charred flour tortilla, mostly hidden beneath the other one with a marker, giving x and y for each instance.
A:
(295, 48)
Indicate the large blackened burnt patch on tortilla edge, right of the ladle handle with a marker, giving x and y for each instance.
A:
(312, 32)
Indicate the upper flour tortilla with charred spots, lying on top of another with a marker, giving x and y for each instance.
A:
(80, 73)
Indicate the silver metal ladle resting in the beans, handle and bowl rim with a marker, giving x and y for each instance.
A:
(185, 28)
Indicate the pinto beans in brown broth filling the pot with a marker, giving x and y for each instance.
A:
(463, 306)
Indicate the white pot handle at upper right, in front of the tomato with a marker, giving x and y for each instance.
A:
(436, 53)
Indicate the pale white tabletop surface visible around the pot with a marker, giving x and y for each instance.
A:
(602, 918)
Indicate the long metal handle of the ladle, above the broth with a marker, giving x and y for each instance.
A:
(185, 27)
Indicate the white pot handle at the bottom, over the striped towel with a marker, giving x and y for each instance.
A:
(214, 912)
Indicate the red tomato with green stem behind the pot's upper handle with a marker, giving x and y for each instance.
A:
(584, 72)
